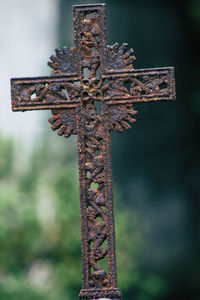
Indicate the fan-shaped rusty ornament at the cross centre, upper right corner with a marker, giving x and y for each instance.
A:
(119, 57)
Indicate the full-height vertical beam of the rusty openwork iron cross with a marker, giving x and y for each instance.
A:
(97, 221)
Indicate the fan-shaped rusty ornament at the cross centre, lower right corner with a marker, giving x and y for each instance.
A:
(120, 116)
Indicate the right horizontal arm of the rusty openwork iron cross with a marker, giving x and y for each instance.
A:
(143, 85)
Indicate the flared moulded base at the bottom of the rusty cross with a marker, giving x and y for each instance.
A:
(88, 294)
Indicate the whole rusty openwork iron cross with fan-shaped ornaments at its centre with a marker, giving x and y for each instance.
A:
(91, 92)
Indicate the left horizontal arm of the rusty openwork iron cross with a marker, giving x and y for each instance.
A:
(50, 92)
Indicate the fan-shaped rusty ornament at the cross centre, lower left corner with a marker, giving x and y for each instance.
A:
(65, 121)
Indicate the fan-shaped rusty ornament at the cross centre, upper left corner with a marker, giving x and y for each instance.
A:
(63, 62)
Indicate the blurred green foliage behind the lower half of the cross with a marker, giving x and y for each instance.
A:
(40, 255)
